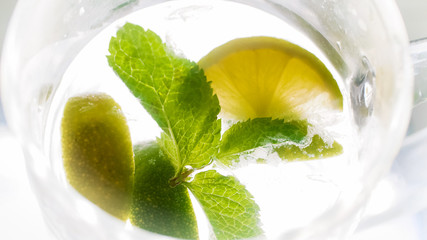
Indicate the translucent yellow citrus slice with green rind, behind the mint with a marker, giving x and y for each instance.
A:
(268, 77)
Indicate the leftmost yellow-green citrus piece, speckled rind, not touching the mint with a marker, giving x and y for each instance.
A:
(97, 152)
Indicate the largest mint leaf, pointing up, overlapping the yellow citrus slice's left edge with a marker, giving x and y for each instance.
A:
(173, 90)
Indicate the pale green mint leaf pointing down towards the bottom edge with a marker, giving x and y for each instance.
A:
(229, 207)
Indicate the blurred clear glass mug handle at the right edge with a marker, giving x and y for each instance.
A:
(403, 191)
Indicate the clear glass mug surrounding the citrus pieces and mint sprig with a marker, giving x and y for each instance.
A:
(364, 41)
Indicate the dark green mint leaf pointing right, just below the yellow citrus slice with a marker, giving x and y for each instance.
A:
(245, 137)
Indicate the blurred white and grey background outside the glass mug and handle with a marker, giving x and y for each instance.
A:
(20, 217)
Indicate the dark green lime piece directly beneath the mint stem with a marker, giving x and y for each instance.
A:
(158, 207)
